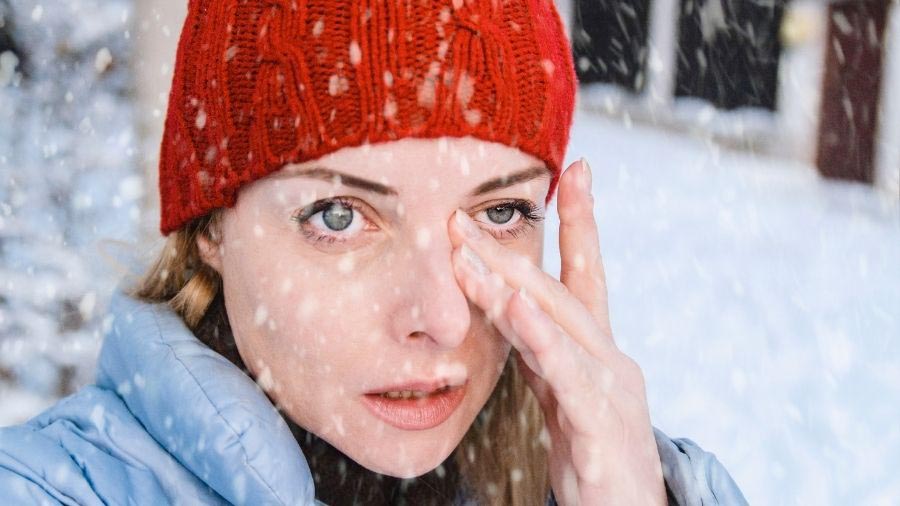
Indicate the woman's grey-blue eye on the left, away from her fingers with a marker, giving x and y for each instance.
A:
(332, 220)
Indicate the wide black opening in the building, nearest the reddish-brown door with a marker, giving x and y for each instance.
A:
(728, 52)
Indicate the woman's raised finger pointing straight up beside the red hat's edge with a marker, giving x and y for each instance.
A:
(579, 243)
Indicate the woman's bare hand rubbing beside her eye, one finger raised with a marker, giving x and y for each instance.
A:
(602, 447)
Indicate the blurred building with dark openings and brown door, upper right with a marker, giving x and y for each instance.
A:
(813, 80)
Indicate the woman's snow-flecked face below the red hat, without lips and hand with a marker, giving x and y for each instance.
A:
(332, 299)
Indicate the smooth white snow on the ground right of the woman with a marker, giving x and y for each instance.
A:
(763, 305)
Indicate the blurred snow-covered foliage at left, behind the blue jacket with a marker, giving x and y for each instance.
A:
(69, 188)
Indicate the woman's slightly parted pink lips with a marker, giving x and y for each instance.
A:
(416, 413)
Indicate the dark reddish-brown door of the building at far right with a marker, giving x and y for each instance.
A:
(852, 83)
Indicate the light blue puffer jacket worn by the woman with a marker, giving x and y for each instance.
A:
(169, 421)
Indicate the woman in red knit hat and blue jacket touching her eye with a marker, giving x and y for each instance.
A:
(353, 194)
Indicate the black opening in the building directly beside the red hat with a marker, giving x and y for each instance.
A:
(609, 39)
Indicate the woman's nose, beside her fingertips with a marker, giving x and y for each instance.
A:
(435, 306)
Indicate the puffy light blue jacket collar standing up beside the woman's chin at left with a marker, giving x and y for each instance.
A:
(202, 409)
